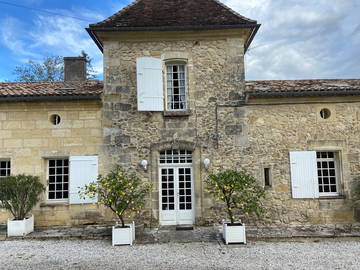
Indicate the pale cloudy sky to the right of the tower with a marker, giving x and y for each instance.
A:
(302, 39)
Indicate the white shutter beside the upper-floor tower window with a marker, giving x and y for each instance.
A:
(150, 91)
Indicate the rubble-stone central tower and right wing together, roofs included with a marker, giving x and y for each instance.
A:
(261, 126)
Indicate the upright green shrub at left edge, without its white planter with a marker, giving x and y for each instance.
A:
(19, 194)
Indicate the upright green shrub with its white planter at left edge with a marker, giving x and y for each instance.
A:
(19, 194)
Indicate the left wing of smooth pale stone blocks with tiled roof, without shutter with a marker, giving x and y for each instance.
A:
(55, 122)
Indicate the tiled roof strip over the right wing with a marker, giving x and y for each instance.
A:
(285, 88)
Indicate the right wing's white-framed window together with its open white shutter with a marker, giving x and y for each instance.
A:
(314, 174)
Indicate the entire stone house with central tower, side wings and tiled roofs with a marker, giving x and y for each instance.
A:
(173, 96)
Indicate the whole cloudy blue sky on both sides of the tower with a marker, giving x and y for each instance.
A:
(298, 39)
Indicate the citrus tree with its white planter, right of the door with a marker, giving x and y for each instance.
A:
(241, 196)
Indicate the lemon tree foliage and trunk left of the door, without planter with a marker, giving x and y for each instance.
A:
(120, 191)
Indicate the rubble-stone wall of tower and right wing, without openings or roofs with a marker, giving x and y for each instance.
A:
(221, 129)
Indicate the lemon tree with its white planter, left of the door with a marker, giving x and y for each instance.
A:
(124, 194)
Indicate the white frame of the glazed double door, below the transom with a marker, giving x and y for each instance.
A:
(176, 166)
